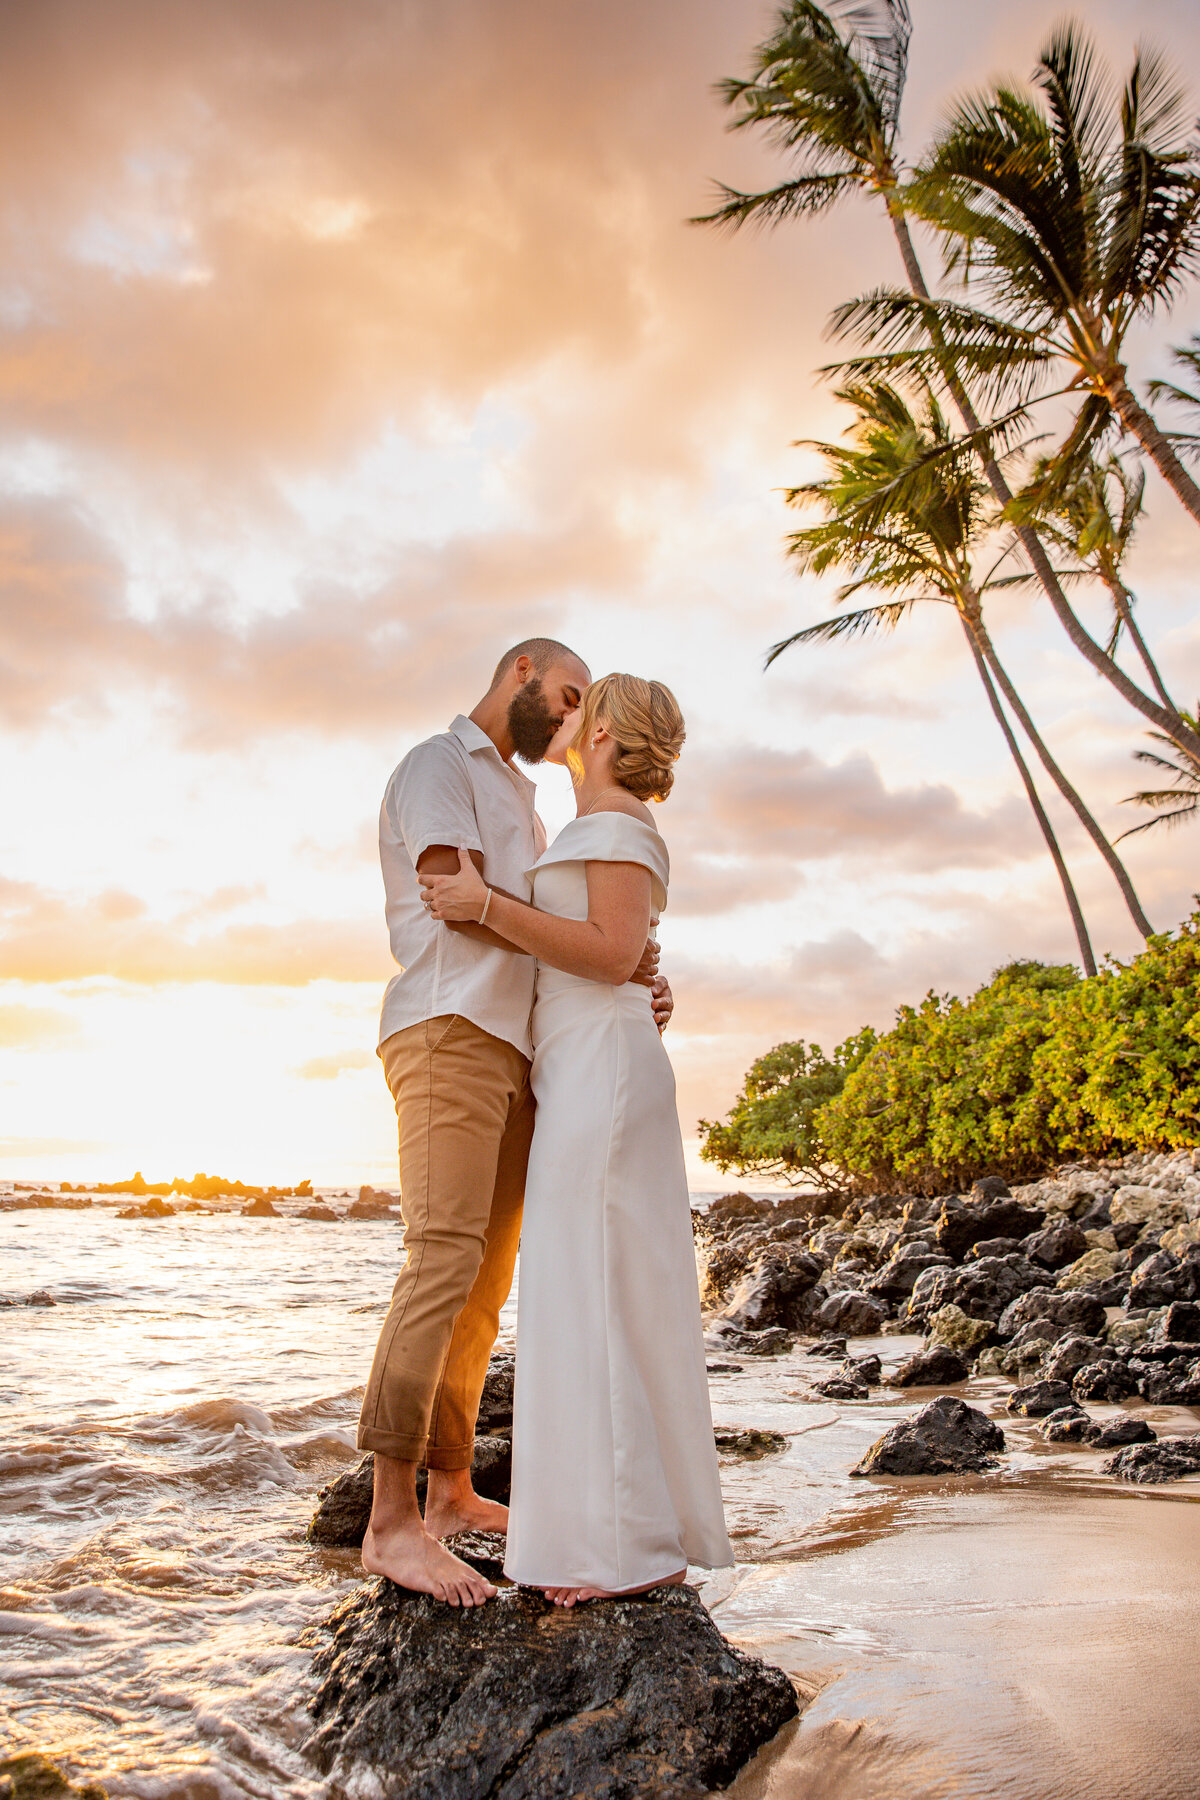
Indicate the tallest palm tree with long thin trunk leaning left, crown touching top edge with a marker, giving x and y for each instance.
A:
(827, 89)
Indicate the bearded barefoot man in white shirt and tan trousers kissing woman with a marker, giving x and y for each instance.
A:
(456, 1050)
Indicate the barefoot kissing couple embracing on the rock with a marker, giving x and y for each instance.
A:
(523, 1048)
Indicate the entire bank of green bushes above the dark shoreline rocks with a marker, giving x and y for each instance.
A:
(1034, 1068)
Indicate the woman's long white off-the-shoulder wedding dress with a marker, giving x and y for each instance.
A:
(614, 1466)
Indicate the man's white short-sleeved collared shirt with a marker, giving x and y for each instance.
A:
(458, 789)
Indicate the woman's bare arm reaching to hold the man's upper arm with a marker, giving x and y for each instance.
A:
(607, 946)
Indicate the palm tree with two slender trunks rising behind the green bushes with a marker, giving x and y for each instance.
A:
(904, 512)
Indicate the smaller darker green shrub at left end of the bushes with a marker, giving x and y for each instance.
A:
(773, 1128)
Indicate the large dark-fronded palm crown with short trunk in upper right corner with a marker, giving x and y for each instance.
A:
(1079, 220)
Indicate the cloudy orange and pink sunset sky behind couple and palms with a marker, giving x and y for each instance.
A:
(343, 345)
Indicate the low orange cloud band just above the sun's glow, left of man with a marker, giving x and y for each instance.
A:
(46, 937)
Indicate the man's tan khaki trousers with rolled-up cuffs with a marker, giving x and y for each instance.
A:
(465, 1115)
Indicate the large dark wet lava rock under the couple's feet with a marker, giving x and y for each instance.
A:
(523, 1698)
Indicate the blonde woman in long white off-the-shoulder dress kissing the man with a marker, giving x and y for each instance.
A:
(614, 1468)
